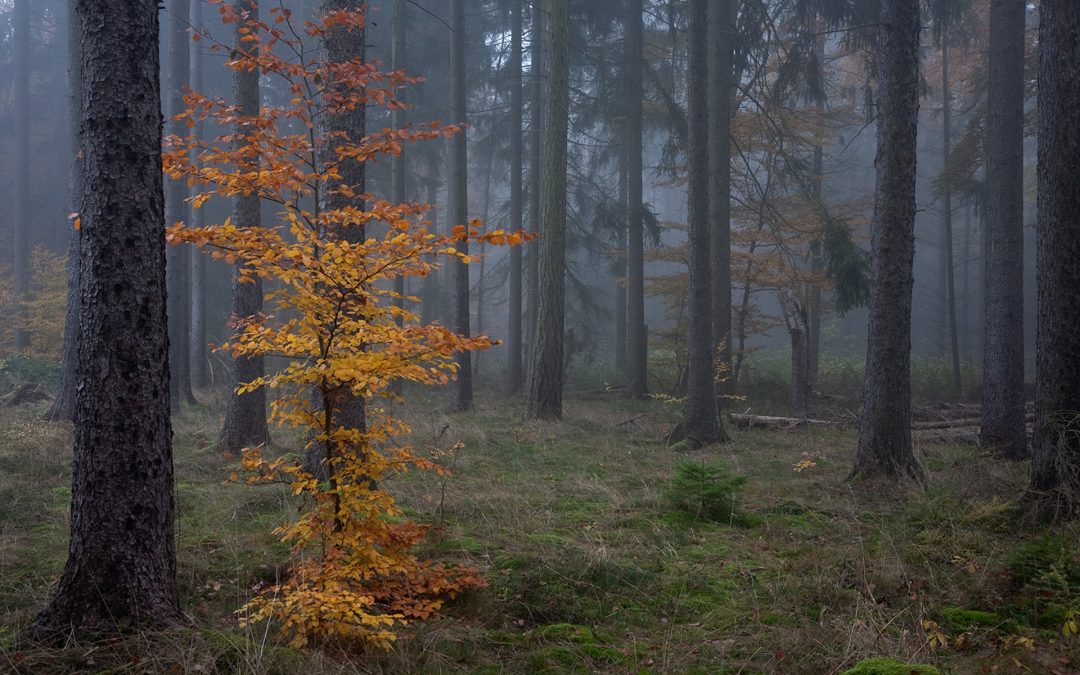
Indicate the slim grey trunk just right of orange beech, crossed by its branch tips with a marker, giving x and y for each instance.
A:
(458, 200)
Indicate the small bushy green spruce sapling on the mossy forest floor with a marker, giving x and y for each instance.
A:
(709, 492)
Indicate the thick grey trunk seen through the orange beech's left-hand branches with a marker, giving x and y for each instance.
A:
(246, 418)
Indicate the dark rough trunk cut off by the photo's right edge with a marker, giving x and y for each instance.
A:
(1056, 472)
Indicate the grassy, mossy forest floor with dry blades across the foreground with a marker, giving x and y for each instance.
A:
(591, 568)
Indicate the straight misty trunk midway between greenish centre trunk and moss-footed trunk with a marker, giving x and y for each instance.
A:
(638, 355)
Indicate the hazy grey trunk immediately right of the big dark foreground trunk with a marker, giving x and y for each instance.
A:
(177, 211)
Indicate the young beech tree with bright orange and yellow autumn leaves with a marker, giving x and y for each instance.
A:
(340, 325)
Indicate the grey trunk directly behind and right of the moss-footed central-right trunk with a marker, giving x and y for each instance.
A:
(721, 45)
